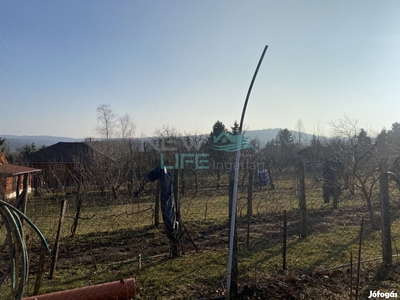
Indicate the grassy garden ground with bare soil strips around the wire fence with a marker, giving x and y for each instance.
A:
(111, 236)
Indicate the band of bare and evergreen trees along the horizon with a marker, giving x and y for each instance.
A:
(361, 153)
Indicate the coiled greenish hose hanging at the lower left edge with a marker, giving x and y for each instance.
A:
(18, 263)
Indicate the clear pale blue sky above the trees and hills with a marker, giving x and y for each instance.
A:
(189, 64)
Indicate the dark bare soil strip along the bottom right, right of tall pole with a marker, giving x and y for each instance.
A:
(333, 285)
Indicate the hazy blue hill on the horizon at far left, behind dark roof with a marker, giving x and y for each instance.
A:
(17, 141)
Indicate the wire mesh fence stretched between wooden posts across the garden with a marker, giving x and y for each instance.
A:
(284, 250)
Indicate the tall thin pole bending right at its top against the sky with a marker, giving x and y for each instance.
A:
(236, 176)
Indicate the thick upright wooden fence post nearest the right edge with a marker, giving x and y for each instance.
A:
(385, 213)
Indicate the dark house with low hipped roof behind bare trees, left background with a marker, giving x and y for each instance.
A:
(66, 163)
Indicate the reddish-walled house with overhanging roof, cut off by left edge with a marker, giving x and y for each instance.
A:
(15, 181)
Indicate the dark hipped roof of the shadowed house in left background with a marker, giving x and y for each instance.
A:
(64, 152)
